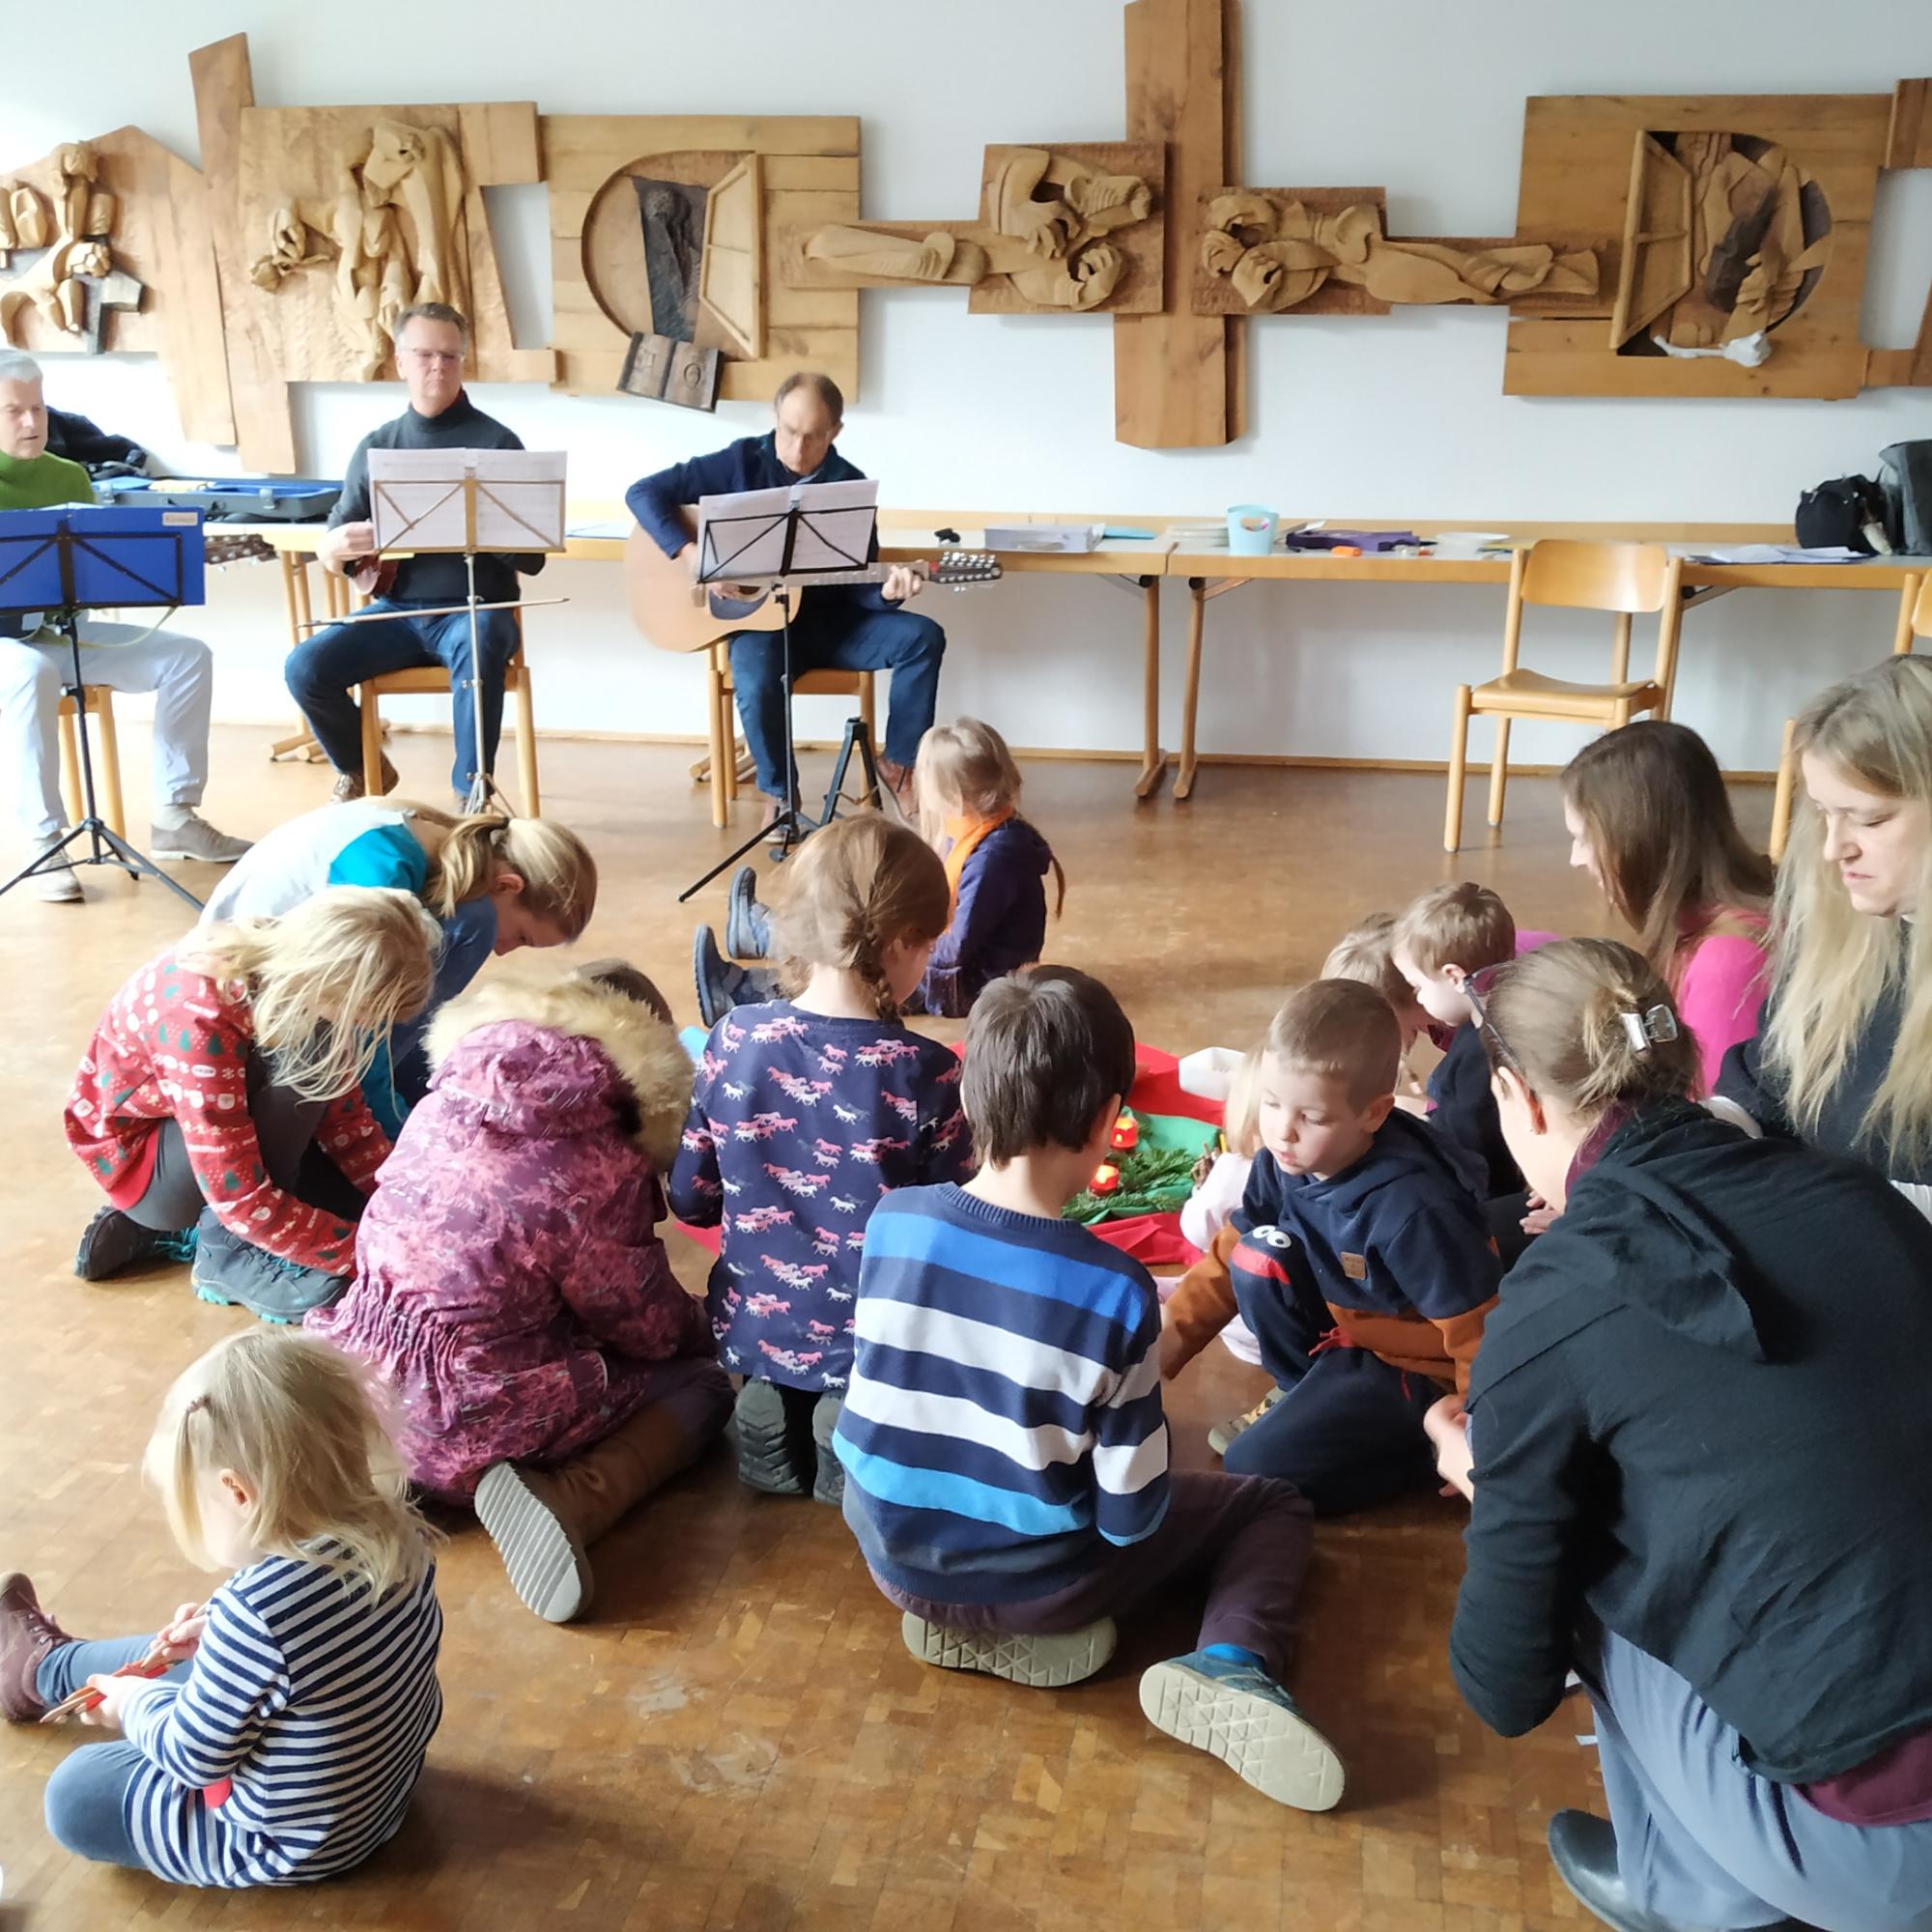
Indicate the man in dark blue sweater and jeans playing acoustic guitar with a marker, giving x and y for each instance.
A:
(838, 627)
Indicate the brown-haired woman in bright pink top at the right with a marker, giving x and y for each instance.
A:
(1651, 822)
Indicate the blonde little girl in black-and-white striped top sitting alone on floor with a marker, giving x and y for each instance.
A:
(289, 1728)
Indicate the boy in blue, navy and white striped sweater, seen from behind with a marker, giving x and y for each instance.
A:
(1004, 1440)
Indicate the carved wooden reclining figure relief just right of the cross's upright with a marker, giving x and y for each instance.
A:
(1274, 250)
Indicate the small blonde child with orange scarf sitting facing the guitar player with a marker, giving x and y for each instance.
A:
(996, 868)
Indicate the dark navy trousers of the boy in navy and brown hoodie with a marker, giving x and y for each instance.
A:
(1350, 1431)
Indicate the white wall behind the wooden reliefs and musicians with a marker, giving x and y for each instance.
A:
(1392, 418)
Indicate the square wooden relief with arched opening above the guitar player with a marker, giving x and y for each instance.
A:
(623, 260)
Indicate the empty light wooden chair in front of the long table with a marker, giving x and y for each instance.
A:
(1581, 577)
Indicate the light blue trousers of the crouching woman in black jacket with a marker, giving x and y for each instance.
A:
(1705, 1840)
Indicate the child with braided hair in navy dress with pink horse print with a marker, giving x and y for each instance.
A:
(805, 1114)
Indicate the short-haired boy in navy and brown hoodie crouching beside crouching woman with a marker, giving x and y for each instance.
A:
(1363, 1263)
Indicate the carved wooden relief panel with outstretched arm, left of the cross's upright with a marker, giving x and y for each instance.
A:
(1060, 229)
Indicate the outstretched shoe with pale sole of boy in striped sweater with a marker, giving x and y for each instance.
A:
(1239, 1715)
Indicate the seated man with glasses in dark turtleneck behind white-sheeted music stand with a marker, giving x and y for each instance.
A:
(432, 343)
